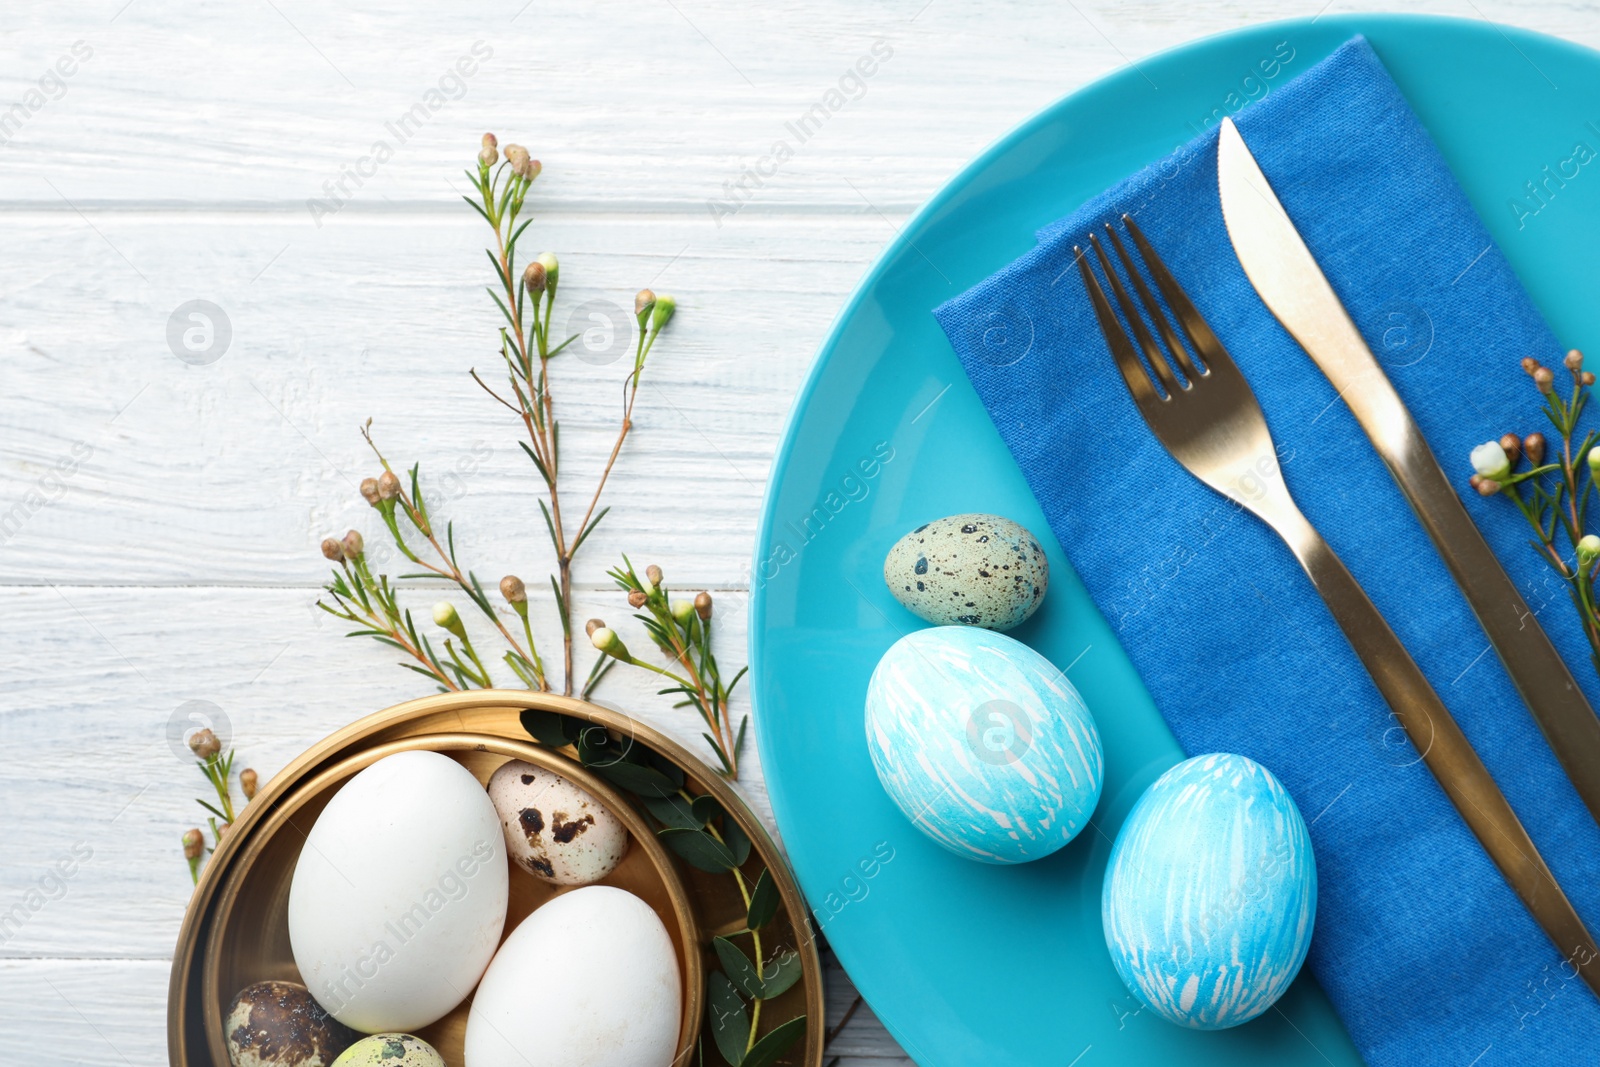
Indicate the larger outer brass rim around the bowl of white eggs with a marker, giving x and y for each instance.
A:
(199, 914)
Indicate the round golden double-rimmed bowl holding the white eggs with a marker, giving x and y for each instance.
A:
(236, 927)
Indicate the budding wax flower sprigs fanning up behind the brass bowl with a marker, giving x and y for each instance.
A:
(524, 295)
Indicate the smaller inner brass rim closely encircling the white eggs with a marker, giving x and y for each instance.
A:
(692, 962)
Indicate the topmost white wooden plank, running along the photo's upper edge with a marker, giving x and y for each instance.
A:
(628, 105)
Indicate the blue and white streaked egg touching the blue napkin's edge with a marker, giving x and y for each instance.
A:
(1210, 893)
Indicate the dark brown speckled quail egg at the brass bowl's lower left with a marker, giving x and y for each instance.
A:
(279, 1025)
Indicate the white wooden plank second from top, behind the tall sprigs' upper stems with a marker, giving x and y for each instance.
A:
(234, 471)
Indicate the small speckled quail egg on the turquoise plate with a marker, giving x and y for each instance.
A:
(969, 570)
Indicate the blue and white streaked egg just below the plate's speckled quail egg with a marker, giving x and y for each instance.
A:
(983, 745)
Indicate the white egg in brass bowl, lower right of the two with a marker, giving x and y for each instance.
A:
(590, 980)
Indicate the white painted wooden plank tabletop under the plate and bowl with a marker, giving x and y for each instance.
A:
(159, 521)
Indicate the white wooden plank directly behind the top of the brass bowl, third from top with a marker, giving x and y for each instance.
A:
(98, 793)
